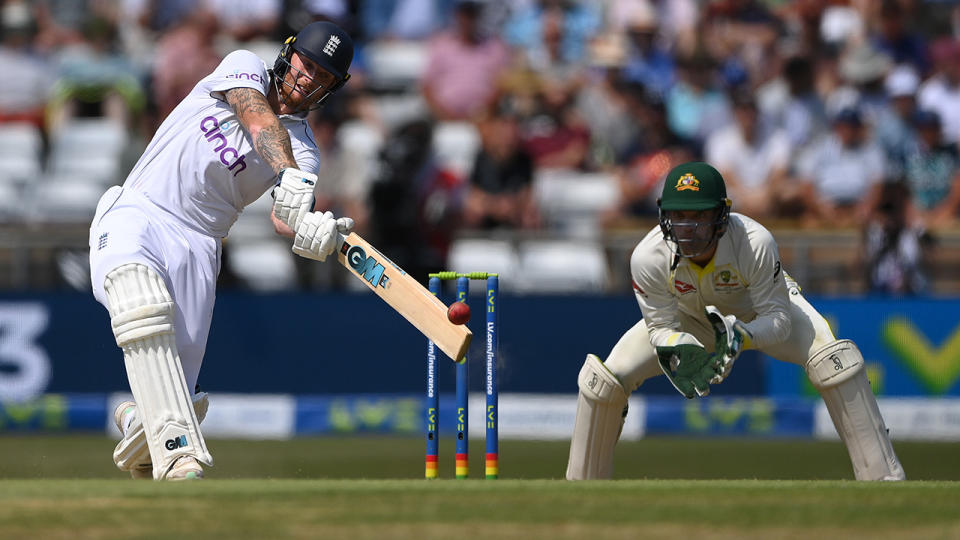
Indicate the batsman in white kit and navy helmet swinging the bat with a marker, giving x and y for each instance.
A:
(155, 242)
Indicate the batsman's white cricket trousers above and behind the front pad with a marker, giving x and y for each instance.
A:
(129, 228)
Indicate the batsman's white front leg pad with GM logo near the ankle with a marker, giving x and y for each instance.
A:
(141, 313)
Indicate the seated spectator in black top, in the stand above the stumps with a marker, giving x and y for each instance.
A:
(499, 194)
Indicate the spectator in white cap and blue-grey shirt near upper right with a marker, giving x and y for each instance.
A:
(893, 127)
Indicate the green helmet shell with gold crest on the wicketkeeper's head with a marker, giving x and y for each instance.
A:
(693, 186)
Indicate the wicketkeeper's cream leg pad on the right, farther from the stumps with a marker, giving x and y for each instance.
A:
(836, 370)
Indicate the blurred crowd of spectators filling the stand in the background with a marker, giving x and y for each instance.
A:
(819, 113)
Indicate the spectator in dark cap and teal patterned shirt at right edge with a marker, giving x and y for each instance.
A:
(932, 171)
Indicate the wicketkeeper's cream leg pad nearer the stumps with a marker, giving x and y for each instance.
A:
(601, 410)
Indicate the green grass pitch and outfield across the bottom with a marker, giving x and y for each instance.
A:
(371, 487)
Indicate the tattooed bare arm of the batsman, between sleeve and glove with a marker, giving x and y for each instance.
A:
(270, 138)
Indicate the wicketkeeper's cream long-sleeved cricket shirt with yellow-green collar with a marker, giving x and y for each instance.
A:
(743, 279)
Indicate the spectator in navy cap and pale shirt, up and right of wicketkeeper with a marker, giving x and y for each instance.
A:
(842, 172)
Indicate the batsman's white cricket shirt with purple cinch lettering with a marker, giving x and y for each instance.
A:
(200, 166)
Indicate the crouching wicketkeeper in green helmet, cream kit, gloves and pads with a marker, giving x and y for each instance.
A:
(710, 284)
